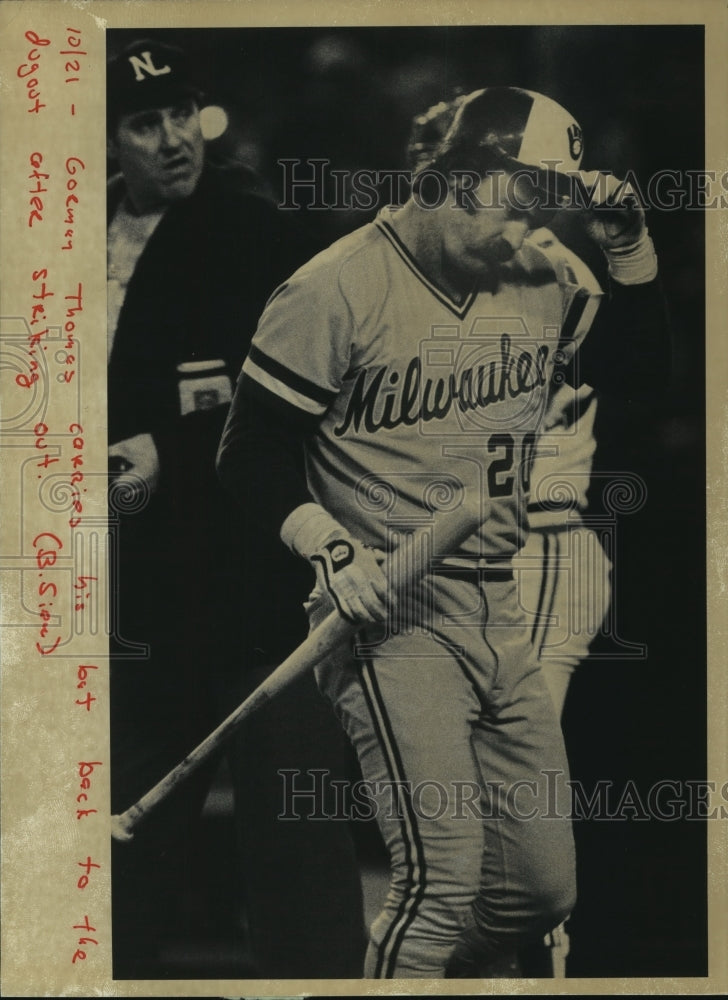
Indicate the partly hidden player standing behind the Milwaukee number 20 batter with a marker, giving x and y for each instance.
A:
(562, 570)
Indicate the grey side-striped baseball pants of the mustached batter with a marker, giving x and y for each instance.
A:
(459, 742)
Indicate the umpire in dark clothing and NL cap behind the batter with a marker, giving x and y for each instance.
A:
(203, 611)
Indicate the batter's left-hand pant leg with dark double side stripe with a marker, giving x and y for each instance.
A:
(408, 706)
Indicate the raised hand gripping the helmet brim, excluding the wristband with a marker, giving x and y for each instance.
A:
(617, 219)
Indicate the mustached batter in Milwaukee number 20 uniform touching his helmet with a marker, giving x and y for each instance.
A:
(416, 369)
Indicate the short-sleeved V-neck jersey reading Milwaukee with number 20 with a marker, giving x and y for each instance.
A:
(423, 401)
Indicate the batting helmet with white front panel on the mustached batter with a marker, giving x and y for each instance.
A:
(502, 128)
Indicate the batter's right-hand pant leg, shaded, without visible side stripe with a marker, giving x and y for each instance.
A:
(528, 874)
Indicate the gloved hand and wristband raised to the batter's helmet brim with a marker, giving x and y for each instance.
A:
(617, 224)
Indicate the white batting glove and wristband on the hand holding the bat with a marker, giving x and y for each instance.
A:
(349, 571)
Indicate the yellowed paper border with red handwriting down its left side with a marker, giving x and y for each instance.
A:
(45, 732)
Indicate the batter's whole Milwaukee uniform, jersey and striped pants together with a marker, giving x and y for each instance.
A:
(423, 402)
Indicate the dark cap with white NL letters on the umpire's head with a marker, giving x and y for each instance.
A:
(147, 74)
